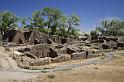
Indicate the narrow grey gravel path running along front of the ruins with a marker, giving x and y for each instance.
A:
(108, 57)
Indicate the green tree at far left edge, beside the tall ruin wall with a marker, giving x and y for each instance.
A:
(8, 20)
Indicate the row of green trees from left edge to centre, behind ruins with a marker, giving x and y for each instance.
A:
(47, 20)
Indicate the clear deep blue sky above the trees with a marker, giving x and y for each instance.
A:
(90, 11)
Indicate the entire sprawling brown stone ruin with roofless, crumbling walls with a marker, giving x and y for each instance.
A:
(40, 49)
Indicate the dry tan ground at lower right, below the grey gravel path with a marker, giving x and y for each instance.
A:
(110, 72)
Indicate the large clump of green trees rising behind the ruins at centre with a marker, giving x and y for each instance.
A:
(53, 21)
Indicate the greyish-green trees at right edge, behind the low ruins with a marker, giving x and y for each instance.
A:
(110, 27)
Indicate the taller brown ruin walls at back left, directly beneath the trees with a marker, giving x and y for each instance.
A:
(33, 37)
